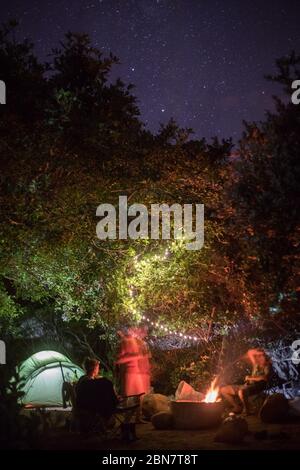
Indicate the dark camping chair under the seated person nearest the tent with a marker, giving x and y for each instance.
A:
(87, 422)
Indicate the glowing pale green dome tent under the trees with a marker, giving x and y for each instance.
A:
(42, 376)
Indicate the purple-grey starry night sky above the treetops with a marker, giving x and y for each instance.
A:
(201, 62)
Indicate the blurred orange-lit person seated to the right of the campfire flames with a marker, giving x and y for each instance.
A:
(254, 383)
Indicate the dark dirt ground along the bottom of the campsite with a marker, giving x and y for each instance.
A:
(152, 439)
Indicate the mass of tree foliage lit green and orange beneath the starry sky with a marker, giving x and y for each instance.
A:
(76, 142)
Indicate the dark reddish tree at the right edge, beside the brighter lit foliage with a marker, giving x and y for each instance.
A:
(268, 199)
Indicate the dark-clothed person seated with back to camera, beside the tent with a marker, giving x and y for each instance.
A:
(94, 393)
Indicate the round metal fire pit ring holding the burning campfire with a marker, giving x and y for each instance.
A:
(196, 415)
